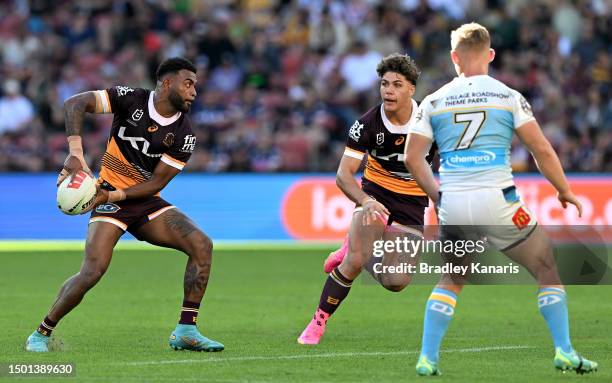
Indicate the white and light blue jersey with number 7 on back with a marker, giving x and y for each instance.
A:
(472, 119)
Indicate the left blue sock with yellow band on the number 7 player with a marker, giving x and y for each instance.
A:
(439, 310)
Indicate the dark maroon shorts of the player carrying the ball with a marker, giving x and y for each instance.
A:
(130, 214)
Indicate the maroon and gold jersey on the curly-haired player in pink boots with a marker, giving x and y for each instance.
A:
(384, 143)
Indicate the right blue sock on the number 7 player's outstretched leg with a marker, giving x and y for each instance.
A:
(553, 307)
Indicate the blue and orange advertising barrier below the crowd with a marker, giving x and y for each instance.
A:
(268, 207)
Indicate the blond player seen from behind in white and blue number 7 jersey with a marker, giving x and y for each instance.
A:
(472, 120)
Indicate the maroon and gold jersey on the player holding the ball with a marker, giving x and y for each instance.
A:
(140, 137)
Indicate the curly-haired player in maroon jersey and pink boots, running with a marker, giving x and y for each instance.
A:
(389, 202)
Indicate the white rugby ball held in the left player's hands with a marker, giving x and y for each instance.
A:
(77, 193)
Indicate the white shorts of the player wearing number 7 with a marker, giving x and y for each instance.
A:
(499, 215)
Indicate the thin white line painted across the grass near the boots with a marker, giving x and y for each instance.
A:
(313, 356)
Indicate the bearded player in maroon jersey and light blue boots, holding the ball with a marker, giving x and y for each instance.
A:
(150, 142)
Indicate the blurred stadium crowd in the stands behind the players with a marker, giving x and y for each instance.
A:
(280, 82)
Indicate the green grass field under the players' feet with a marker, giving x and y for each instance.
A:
(257, 303)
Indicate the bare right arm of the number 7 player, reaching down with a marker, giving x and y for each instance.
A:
(547, 162)
